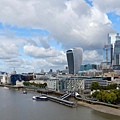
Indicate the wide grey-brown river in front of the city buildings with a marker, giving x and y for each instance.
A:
(14, 105)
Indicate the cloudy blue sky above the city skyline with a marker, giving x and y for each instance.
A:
(35, 34)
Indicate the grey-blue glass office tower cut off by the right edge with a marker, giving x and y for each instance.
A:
(117, 51)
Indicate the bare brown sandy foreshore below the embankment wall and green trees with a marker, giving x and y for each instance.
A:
(101, 108)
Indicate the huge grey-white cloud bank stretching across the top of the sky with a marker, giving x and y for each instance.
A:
(74, 21)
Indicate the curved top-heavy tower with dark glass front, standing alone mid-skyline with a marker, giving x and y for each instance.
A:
(74, 59)
